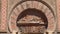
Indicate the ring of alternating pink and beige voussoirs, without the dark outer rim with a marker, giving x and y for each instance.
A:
(31, 4)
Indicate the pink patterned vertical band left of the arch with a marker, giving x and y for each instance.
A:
(3, 16)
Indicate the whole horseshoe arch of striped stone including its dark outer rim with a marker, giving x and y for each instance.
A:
(37, 4)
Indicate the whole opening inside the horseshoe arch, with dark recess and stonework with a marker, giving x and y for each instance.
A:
(32, 21)
